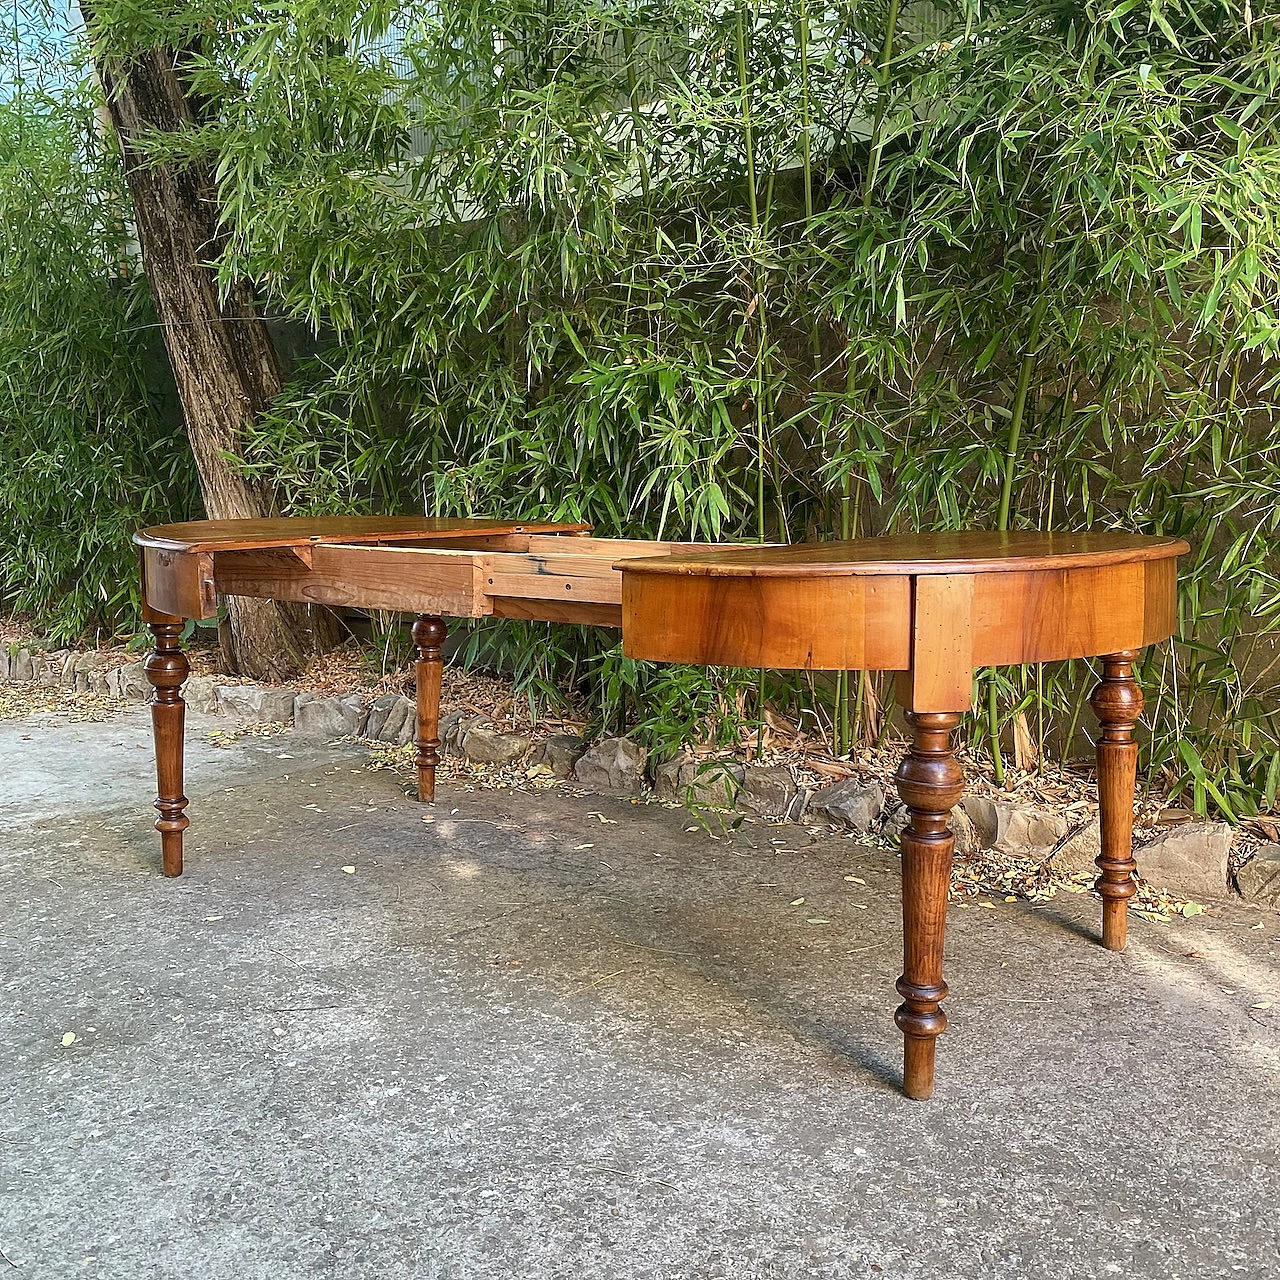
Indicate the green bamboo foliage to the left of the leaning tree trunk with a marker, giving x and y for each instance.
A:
(86, 456)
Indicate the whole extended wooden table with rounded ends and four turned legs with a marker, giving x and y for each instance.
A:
(930, 607)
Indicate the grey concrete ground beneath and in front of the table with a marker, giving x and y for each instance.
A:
(554, 1037)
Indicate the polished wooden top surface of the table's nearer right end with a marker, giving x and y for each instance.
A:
(1018, 551)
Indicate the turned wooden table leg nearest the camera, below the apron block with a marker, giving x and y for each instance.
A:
(930, 781)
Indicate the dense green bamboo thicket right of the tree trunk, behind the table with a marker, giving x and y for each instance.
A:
(712, 271)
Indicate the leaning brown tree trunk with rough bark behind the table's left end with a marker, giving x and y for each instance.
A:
(223, 359)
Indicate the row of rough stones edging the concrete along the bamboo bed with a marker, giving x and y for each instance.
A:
(1190, 860)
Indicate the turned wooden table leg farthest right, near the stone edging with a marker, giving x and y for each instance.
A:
(1118, 705)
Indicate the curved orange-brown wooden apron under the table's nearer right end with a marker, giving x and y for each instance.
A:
(939, 627)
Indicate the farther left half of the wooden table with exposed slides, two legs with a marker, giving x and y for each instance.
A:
(433, 569)
